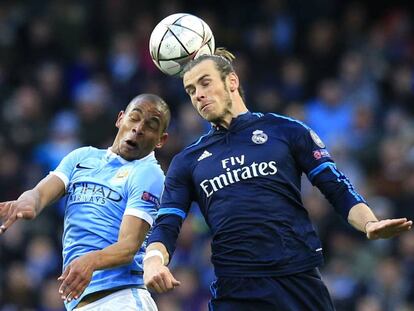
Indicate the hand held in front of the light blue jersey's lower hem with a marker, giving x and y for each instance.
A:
(76, 277)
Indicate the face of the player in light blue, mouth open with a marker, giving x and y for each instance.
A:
(140, 130)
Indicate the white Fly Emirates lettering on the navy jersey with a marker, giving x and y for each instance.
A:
(235, 171)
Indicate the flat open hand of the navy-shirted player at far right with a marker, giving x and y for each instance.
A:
(387, 228)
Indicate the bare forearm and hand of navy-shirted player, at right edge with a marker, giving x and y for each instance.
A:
(362, 218)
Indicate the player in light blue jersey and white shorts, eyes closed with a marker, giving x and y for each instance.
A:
(112, 198)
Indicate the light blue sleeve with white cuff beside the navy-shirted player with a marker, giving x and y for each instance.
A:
(144, 191)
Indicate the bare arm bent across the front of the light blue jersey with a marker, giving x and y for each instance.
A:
(78, 273)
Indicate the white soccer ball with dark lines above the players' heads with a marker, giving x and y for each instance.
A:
(177, 39)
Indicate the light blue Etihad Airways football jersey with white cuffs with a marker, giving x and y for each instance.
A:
(102, 187)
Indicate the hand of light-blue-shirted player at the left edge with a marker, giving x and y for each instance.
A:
(10, 211)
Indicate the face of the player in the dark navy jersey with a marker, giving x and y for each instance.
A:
(208, 93)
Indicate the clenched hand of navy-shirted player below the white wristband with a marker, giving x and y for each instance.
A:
(158, 277)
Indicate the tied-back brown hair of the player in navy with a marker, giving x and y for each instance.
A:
(223, 60)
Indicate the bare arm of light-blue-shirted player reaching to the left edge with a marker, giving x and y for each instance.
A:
(31, 202)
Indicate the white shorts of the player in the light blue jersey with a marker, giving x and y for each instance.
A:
(129, 299)
